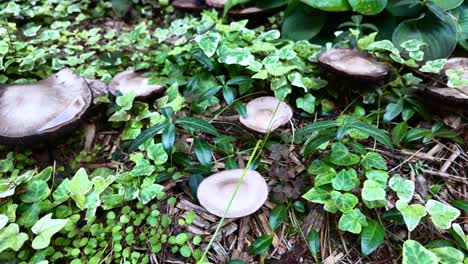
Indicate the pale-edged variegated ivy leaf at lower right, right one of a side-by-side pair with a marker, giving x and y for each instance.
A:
(442, 214)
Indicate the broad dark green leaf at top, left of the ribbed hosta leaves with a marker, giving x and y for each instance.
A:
(302, 22)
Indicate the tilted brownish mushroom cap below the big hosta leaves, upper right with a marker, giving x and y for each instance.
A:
(356, 64)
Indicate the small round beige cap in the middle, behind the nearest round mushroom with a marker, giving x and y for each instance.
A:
(260, 114)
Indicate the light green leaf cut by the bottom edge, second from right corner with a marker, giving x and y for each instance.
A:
(413, 252)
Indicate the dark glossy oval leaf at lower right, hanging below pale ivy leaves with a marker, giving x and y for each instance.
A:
(372, 236)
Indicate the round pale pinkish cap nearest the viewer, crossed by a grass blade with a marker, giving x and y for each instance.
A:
(215, 192)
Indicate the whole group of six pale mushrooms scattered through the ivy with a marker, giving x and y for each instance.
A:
(64, 98)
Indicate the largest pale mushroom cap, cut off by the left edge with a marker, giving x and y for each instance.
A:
(39, 109)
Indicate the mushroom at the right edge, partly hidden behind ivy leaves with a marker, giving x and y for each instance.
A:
(449, 97)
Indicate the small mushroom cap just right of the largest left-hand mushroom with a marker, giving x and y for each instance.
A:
(128, 81)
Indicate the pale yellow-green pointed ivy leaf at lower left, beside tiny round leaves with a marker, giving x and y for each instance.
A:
(45, 228)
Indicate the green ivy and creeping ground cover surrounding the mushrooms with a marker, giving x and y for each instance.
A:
(366, 170)
